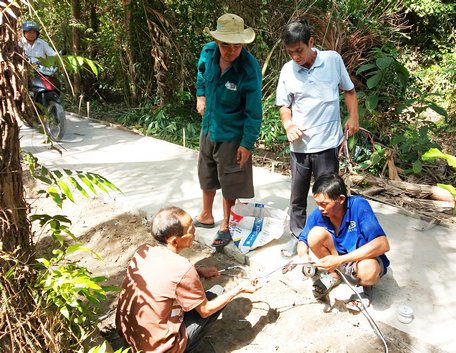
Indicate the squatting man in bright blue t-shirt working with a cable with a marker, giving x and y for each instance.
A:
(343, 233)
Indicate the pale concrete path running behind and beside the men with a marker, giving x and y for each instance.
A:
(153, 174)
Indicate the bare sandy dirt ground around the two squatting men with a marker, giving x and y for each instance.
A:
(282, 316)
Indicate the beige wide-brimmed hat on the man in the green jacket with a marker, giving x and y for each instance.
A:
(230, 29)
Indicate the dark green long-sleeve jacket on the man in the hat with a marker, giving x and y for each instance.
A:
(233, 100)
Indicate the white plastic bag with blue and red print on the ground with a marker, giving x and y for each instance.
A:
(253, 225)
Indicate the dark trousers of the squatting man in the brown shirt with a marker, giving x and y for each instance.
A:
(197, 326)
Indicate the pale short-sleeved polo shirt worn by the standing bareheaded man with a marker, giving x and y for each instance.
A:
(313, 95)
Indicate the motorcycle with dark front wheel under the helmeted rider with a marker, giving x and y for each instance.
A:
(45, 90)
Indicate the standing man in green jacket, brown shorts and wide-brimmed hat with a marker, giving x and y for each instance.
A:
(228, 90)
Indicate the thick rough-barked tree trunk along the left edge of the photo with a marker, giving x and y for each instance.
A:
(15, 228)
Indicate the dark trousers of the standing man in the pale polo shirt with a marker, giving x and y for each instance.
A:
(303, 165)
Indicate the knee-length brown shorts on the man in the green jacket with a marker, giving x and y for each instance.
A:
(218, 168)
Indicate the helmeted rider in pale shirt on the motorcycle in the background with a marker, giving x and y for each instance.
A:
(34, 47)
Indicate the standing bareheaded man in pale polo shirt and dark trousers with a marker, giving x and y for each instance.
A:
(308, 96)
